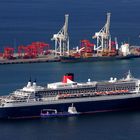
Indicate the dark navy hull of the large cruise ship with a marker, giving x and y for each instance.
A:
(82, 108)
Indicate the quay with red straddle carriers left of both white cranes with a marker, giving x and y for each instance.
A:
(36, 52)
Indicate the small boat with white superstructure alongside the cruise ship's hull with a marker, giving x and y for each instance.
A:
(47, 113)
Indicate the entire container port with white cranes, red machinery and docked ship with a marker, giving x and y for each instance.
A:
(103, 49)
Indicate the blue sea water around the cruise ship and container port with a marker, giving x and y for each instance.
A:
(25, 21)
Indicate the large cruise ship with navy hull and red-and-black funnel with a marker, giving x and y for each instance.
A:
(69, 97)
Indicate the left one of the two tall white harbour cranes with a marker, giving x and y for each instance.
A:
(62, 40)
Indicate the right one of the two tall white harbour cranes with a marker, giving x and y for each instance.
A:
(103, 36)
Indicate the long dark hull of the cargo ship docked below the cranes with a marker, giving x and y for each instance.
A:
(95, 58)
